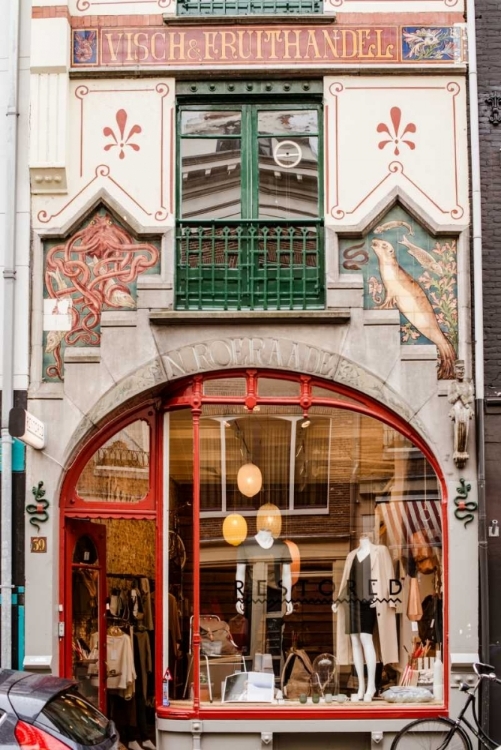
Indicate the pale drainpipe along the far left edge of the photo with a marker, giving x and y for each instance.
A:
(9, 277)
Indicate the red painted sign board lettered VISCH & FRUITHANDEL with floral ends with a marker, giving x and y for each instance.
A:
(323, 44)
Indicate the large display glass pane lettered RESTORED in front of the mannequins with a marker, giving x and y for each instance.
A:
(348, 512)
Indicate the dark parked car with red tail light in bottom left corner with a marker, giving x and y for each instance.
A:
(42, 712)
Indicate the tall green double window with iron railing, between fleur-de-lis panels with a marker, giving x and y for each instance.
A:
(249, 234)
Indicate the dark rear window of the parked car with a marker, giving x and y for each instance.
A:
(76, 719)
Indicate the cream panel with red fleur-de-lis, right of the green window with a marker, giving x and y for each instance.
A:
(384, 133)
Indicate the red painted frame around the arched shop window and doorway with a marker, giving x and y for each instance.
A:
(189, 393)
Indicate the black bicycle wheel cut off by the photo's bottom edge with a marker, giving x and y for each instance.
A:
(431, 734)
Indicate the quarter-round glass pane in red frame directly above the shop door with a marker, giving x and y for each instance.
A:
(119, 471)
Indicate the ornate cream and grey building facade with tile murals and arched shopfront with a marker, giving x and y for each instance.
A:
(250, 228)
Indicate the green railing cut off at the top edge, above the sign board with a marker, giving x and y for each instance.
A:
(247, 7)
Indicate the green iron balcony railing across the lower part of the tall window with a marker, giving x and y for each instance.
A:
(250, 265)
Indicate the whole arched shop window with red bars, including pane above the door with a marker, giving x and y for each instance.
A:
(301, 538)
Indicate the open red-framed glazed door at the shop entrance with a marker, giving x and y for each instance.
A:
(85, 608)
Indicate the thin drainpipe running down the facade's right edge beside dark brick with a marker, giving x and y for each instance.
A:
(478, 344)
